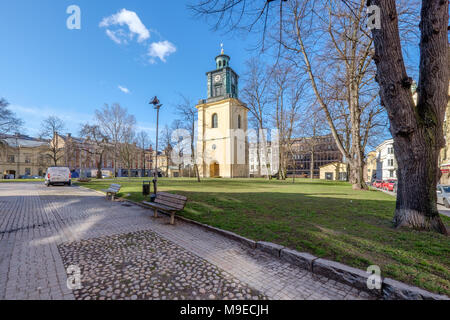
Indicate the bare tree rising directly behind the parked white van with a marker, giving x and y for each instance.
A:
(51, 127)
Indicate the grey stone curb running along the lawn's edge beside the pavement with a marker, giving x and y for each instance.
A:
(390, 290)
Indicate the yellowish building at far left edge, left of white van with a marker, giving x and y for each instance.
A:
(22, 155)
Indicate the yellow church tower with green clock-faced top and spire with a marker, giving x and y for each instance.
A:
(222, 146)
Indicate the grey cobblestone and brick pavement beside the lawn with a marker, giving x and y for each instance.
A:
(124, 252)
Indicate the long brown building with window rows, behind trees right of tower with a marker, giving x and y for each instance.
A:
(312, 152)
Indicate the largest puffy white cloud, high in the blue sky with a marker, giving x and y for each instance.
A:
(129, 18)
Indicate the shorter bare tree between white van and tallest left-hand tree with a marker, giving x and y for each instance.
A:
(95, 143)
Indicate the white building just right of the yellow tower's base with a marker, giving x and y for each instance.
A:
(258, 166)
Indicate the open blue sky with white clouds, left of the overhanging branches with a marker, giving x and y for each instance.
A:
(47, 69)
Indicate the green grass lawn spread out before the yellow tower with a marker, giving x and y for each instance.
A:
(327, 219)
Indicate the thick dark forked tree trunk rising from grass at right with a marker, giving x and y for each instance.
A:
(417, 129)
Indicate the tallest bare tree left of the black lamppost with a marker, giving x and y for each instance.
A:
(115, 122)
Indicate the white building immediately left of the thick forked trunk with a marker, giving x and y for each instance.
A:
(386, 162)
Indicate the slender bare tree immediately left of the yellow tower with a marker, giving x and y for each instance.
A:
(186, 109)
